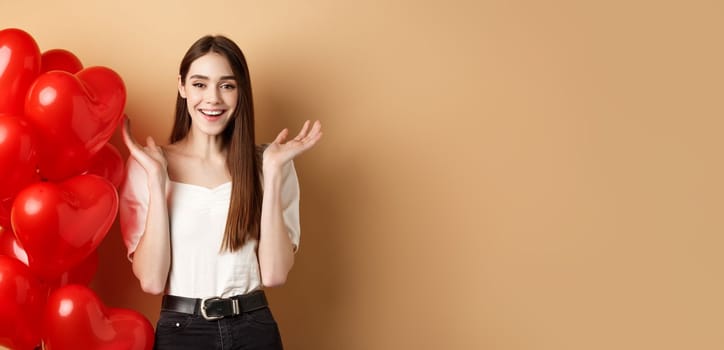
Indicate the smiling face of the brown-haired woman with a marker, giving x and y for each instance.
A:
(211, 93)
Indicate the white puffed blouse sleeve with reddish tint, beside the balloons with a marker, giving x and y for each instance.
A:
(133, 205)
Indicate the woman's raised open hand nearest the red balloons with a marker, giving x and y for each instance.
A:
(150, 157)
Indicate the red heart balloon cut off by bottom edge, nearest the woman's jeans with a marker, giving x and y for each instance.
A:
(75, 318)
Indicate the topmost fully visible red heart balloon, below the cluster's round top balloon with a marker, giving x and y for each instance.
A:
(74, 116)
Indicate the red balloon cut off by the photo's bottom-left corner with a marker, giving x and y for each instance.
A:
(21, 305)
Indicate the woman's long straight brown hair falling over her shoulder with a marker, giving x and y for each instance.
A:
(242, 159)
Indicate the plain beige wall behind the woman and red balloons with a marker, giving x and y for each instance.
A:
(494, 174)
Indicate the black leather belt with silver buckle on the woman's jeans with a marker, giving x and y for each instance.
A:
(215, 308)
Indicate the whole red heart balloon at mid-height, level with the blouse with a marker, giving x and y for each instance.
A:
(59, 225)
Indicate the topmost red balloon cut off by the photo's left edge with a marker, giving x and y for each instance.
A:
(19, 66)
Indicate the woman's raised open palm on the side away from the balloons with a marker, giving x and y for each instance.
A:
(281, 151)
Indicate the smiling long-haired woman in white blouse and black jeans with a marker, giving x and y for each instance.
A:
(211, 218)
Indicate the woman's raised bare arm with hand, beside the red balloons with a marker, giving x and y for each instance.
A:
(152, 257)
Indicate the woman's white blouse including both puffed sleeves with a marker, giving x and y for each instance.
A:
(197, 217)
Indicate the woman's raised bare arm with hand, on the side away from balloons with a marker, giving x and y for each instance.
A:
(276, 251)
